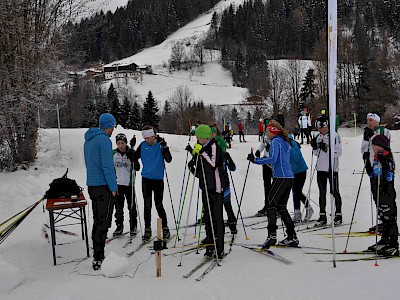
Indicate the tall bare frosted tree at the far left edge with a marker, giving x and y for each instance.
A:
(30, 43)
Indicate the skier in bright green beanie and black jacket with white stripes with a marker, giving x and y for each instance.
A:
(208, 156)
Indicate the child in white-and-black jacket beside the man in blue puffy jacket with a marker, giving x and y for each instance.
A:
(123, 162)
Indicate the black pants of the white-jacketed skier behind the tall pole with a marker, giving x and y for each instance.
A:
(322, 178)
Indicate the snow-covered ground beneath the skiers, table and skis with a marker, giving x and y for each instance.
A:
(27, 271)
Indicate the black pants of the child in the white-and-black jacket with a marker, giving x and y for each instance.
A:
(125, 192)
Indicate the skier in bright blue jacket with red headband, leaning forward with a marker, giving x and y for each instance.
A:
(279, 158)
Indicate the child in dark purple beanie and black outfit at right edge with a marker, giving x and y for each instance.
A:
(382, 180)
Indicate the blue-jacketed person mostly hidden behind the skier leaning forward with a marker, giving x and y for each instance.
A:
(299, 168)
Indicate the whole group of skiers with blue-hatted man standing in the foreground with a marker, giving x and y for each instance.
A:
(111, 176)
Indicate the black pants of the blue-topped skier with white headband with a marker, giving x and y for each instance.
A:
(156, 186)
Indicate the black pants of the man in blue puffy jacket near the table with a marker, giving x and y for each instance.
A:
(102, 207)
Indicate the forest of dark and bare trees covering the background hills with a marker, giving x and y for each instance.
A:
(40, 40)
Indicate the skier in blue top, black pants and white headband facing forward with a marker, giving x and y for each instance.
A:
(153, 151)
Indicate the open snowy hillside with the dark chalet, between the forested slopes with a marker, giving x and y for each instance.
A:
(212, 85)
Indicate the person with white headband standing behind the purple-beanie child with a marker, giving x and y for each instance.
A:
(373, 128)
